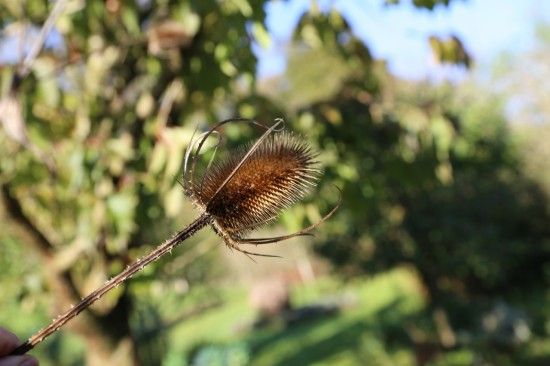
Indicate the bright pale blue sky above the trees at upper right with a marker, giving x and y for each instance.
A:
(399, 33)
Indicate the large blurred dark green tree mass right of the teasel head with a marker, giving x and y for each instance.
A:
(430, 175)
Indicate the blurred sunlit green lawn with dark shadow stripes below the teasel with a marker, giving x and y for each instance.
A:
(369, 328)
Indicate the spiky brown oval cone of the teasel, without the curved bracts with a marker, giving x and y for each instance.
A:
(277, 174)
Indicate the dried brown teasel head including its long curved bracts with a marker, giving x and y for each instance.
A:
(253, 185)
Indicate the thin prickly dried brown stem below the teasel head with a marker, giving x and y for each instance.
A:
(138, 265)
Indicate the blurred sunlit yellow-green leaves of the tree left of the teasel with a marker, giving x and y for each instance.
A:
(116, 154)
